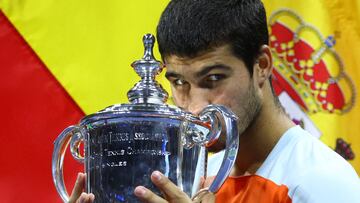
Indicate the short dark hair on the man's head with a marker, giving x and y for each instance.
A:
(189, 27)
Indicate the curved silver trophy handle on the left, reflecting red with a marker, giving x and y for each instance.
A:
(73, 135)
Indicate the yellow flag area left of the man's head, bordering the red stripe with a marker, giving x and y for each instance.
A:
(88, 45)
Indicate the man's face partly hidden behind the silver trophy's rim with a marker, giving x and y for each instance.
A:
(214, 77)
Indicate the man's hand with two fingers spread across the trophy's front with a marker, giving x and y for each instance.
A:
(171, 192)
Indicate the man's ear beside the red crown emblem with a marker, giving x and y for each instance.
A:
(263, 66)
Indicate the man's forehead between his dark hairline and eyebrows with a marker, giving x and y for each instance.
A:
(218, 55)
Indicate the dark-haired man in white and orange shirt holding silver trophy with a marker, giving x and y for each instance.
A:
(216, 52)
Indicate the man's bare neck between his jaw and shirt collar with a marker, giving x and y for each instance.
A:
(260, 138)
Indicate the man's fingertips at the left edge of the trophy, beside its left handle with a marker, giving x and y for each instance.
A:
(77, 195)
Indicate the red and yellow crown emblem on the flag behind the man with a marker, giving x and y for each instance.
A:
(307, 66)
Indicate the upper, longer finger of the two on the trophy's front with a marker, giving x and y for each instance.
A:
(171, 191)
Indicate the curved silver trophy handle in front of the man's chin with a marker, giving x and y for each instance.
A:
(211, 114)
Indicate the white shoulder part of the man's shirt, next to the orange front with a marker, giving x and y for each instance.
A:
(312, 171)
